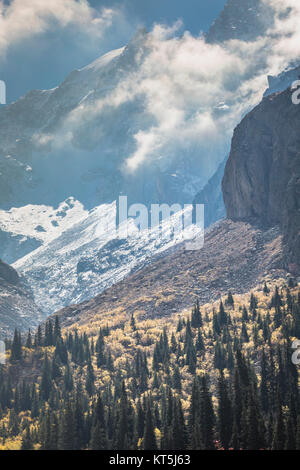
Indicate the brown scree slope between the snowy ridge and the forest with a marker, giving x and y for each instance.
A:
(236, 256)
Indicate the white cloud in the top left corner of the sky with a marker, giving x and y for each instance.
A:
(23, 19)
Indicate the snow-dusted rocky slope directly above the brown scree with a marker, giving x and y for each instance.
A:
(90, 256)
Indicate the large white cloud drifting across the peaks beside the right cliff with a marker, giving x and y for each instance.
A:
(195, 92)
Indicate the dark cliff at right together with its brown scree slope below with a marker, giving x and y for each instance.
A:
(259, 238)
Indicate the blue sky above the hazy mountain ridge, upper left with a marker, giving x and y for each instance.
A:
(43, 59)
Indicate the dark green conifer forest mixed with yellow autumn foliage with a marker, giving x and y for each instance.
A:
(218, 377)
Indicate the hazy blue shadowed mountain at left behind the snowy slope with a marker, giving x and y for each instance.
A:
(47, 156)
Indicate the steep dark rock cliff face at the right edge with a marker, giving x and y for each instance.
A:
(262, 176)
